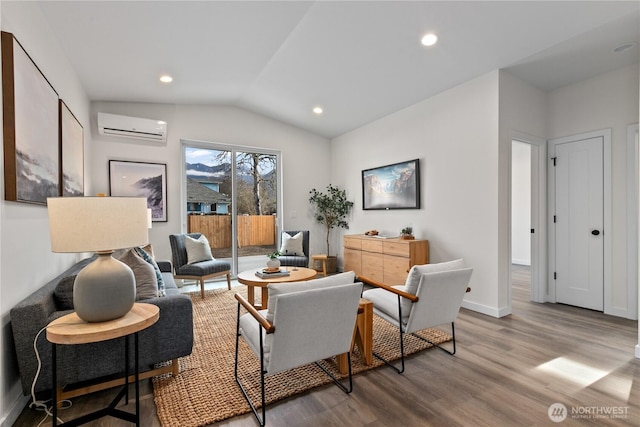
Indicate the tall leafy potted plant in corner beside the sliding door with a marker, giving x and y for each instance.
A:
(331, 210)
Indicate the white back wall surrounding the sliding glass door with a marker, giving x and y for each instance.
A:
(305, 157)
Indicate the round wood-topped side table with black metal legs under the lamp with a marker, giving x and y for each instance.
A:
(70, 329)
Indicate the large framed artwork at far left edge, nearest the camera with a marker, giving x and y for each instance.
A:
(30, 128)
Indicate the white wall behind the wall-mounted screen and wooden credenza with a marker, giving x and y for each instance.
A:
(455, 136)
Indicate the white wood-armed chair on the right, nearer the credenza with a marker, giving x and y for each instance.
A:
(431, 296)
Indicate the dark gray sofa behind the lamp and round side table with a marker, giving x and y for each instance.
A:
(167, 340)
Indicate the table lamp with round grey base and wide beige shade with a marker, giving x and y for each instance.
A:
(106, 288)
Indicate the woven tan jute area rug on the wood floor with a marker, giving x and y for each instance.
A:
(205, 391)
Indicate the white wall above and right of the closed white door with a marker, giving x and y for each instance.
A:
(606, 101)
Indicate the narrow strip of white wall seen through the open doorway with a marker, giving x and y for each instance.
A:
(521, 203)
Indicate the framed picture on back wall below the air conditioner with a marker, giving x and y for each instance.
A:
(141, 179)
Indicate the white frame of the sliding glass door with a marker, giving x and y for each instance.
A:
(233, 149)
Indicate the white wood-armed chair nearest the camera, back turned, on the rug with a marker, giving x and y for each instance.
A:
(305, 322)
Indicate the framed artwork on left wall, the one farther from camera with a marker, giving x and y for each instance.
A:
(72, 153)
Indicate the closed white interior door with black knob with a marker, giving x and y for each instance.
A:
(579, 220)
